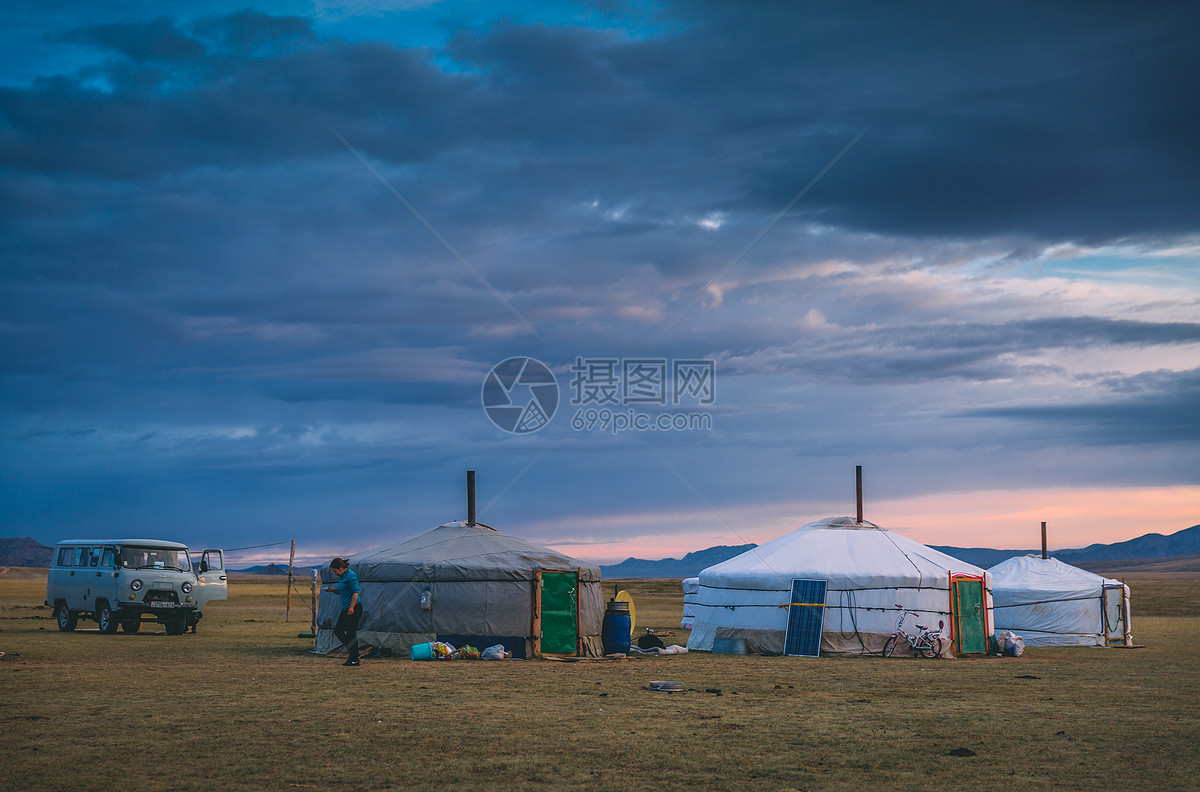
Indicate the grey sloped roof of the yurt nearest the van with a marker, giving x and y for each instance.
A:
(459, 551)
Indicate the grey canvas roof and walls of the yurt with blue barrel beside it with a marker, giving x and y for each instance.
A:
(483, 589)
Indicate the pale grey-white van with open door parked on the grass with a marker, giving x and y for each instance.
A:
(119, 583)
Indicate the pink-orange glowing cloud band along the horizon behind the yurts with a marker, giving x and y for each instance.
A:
(1001, 519)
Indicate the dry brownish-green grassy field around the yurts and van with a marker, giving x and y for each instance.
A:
(245, 705)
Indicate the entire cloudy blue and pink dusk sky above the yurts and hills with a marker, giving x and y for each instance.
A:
(663, 274)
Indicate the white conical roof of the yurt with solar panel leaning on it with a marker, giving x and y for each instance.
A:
(845, 553)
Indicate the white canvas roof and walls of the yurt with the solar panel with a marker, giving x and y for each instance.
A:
(867, 572)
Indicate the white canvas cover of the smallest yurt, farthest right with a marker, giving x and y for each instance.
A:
(1052, 604)
